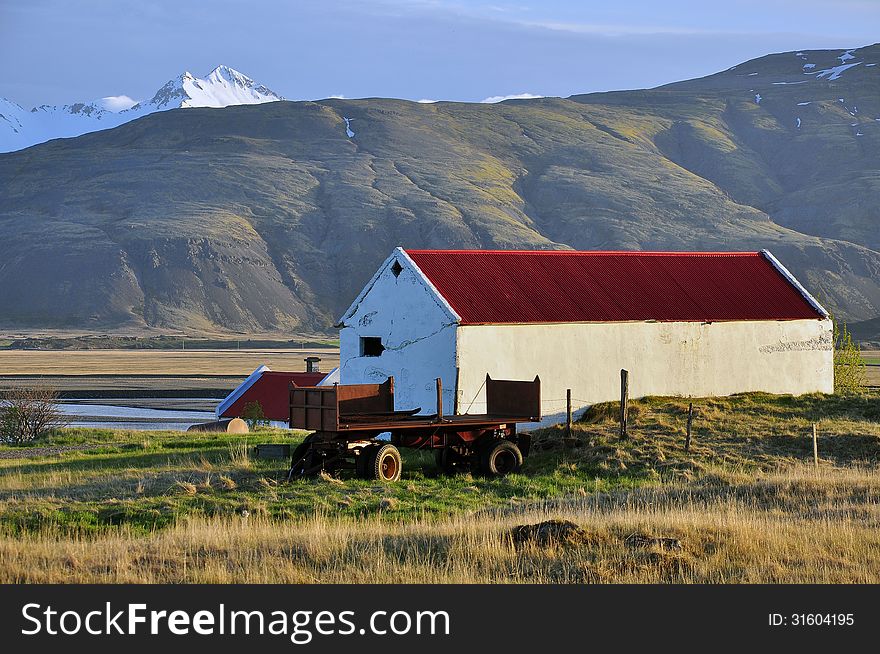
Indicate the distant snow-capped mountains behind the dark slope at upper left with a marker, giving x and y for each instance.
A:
(222, 87)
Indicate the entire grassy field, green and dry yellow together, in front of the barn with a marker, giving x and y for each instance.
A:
(744, 505)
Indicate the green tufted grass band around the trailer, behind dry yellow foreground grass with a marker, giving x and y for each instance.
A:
(149, 480)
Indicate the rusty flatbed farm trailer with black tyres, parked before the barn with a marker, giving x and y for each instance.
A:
(347, 422)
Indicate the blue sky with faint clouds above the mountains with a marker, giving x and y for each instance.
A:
(63, 51)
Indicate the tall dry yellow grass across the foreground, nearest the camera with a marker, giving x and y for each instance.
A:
(796, 526)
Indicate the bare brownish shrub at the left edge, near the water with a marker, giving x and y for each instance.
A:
(28, 412)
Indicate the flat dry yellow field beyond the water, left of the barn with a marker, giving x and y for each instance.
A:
(158, 362)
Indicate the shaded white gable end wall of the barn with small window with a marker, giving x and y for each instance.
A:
(417, 331)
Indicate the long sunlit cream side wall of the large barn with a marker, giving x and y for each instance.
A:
(682, 358)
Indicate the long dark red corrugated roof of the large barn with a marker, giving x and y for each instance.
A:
(504, 286)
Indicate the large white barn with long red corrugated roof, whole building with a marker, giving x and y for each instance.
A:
(682, 323)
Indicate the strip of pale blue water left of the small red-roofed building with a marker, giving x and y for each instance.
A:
(109, 416)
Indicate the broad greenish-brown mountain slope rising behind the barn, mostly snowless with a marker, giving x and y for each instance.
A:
(270, 218)
